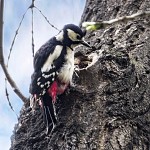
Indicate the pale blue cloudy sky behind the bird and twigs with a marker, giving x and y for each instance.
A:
(20, 67)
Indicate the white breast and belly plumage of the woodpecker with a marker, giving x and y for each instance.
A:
(66, 72)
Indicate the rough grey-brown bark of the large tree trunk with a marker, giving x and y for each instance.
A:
(109, 107)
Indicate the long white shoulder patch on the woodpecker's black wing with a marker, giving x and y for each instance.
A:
(48, 64)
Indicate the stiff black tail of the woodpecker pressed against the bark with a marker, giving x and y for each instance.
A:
(48, 113)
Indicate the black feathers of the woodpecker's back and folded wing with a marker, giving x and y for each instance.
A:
(40, 57)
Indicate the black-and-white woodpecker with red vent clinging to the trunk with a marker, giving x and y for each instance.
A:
(53, 69)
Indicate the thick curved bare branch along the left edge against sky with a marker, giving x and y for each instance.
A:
(2, 62)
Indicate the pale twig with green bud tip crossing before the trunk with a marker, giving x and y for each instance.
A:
(103, 24)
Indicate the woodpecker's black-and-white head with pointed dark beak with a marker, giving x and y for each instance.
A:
(71, 36)
